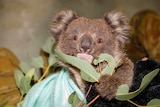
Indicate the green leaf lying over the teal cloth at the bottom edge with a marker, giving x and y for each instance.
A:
(74, 100)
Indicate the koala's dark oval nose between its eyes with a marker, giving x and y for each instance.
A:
(85, 44)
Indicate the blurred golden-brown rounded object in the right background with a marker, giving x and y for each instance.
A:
(145, 26)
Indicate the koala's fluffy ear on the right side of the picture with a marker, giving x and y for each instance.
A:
(119, 25)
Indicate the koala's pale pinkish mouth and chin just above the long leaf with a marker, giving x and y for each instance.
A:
(86, 57)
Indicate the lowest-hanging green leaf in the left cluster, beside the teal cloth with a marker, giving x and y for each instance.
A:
(25, 85)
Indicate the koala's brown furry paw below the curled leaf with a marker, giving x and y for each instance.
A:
(107, 87)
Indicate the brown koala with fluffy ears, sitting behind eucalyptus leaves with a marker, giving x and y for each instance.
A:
(87, 38)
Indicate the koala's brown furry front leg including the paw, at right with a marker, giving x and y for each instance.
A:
(108, 85)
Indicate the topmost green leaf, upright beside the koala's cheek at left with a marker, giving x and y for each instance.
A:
(48, 46)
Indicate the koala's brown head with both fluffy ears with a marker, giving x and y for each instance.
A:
(88, 38)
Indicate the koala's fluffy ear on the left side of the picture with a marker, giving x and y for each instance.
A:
(61, 21)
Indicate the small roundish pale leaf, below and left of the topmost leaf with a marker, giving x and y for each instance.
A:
(38, 62)
